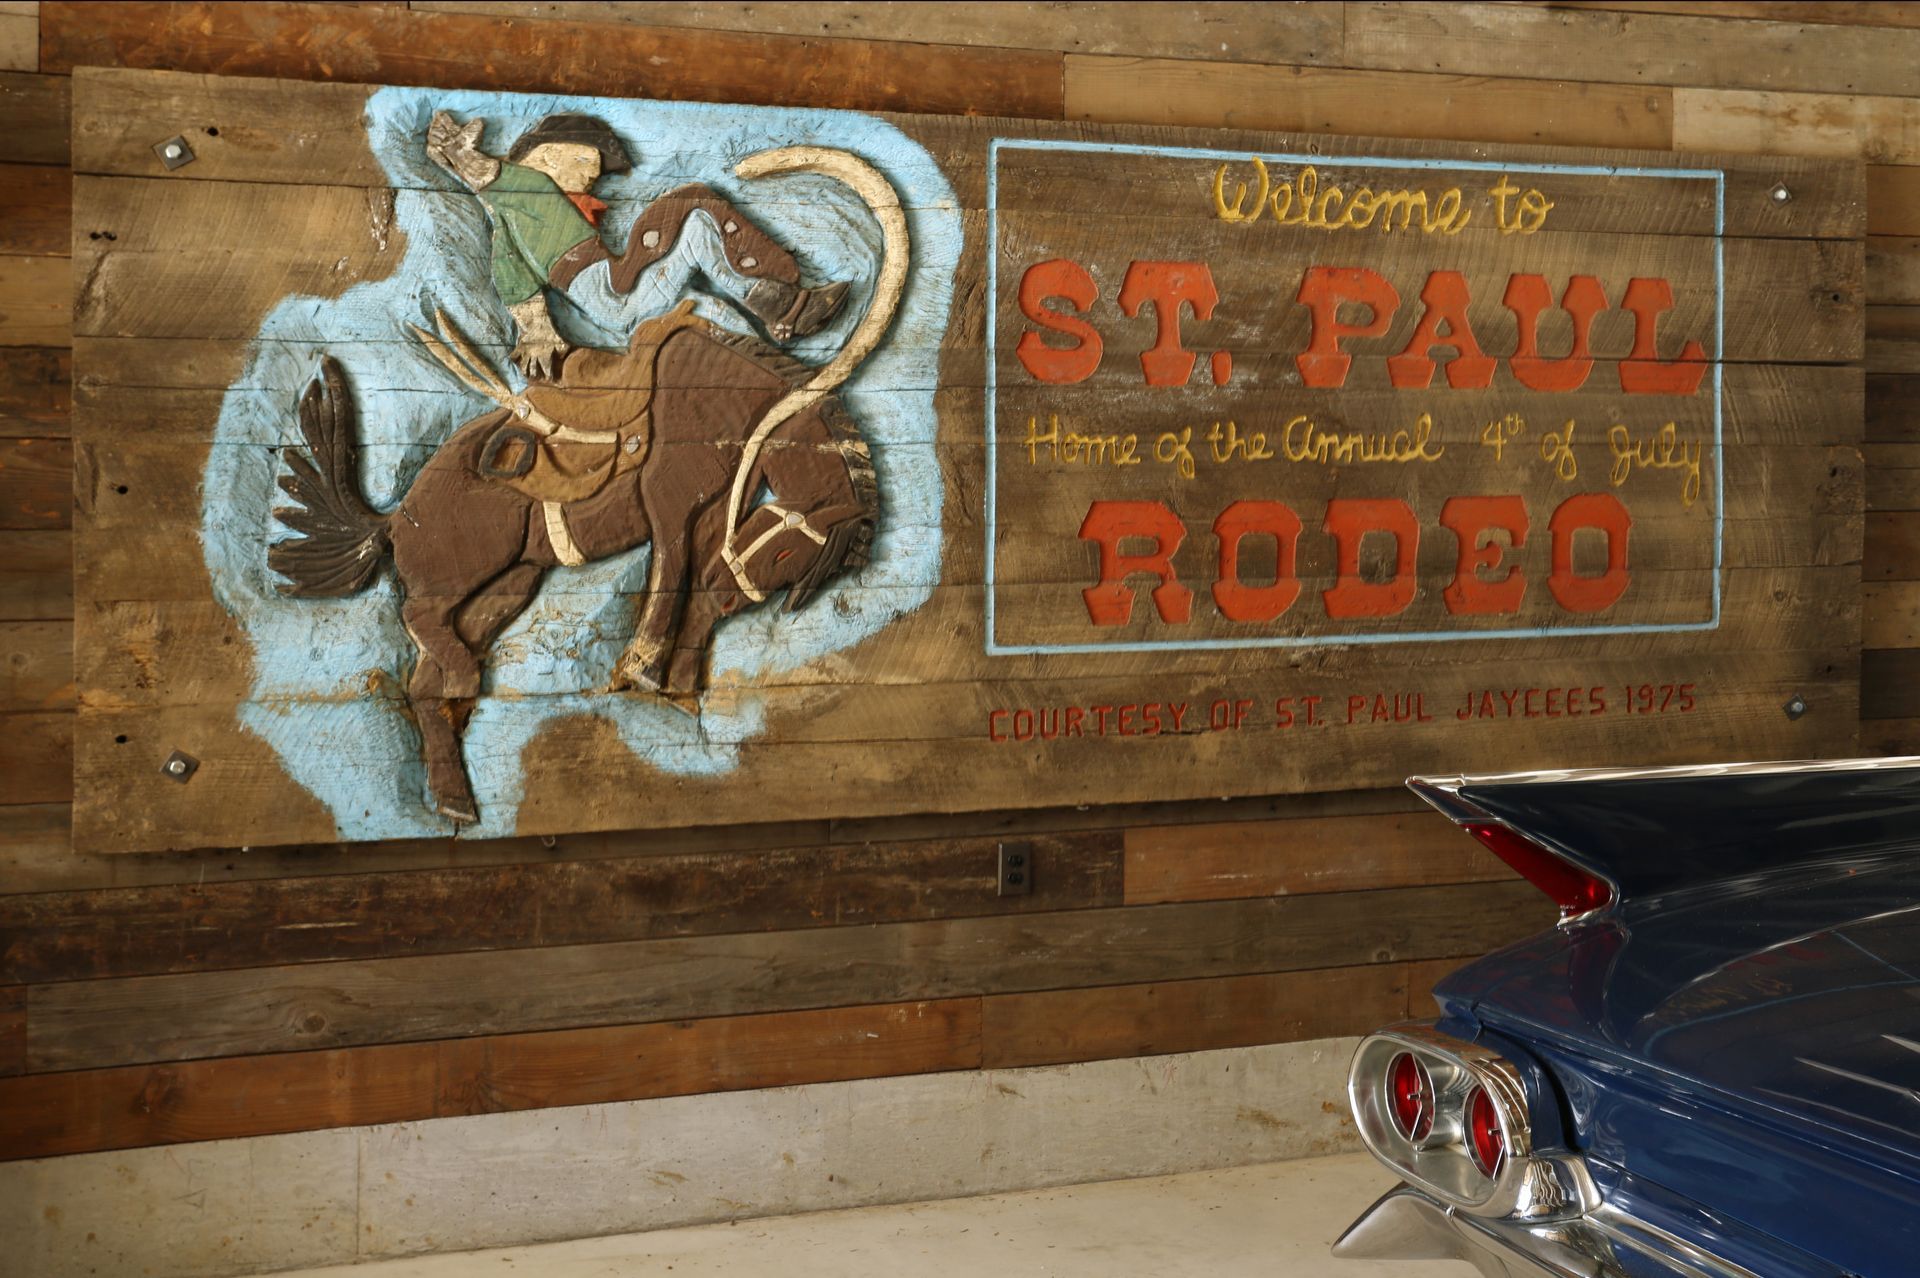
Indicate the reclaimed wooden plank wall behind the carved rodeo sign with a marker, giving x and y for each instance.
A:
(164, 999)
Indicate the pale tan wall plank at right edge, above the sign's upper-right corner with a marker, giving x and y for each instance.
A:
(1883, 131)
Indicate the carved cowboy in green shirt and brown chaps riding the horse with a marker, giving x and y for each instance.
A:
(546, 235)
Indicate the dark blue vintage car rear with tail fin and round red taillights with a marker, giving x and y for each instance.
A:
(1710, 1070)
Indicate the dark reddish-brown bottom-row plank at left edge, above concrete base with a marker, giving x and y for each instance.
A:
(82, 1112)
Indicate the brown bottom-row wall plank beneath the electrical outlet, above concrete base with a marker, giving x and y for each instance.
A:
(1189, 1016)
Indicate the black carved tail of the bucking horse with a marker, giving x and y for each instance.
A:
(343, 538)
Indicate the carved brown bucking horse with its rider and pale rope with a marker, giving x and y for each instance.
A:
(673, 440)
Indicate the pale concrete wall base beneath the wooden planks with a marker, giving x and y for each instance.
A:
(494, 1181)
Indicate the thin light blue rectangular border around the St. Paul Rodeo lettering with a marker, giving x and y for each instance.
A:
(1380, 162)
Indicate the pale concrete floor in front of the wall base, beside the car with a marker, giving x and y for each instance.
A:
(1266, 1221)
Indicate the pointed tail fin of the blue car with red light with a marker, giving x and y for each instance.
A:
(1596, 838)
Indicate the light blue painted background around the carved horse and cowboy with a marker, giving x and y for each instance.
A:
(329, 673)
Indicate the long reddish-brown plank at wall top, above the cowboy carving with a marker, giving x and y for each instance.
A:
(400, 47)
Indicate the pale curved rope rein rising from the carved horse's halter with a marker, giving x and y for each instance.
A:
(884, 202)
